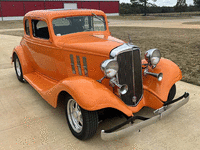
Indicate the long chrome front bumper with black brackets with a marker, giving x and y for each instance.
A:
(161, 113)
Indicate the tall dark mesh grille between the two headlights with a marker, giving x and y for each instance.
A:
(130, 73)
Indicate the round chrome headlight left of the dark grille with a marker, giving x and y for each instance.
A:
(110, 67)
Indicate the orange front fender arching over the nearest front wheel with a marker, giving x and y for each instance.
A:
(89, 94)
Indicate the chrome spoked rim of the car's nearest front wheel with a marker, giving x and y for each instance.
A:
(74, 115)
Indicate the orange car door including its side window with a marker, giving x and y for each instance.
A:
(41, 49)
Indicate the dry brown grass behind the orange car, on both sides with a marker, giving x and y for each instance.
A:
(179, 45)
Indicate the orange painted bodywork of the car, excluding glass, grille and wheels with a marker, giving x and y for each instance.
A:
(46, 65)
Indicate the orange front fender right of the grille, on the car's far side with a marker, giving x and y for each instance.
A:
(171, 74)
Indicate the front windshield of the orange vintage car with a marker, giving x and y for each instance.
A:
(67, 25)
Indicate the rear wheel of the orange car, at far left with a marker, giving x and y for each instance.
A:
(18, 68)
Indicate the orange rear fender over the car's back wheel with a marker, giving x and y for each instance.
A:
(25, 64)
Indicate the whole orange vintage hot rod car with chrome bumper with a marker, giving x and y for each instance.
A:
(71, 55)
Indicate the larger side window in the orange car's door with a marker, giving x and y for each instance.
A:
(40, 29)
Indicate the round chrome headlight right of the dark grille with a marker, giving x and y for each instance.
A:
(153, 56)
